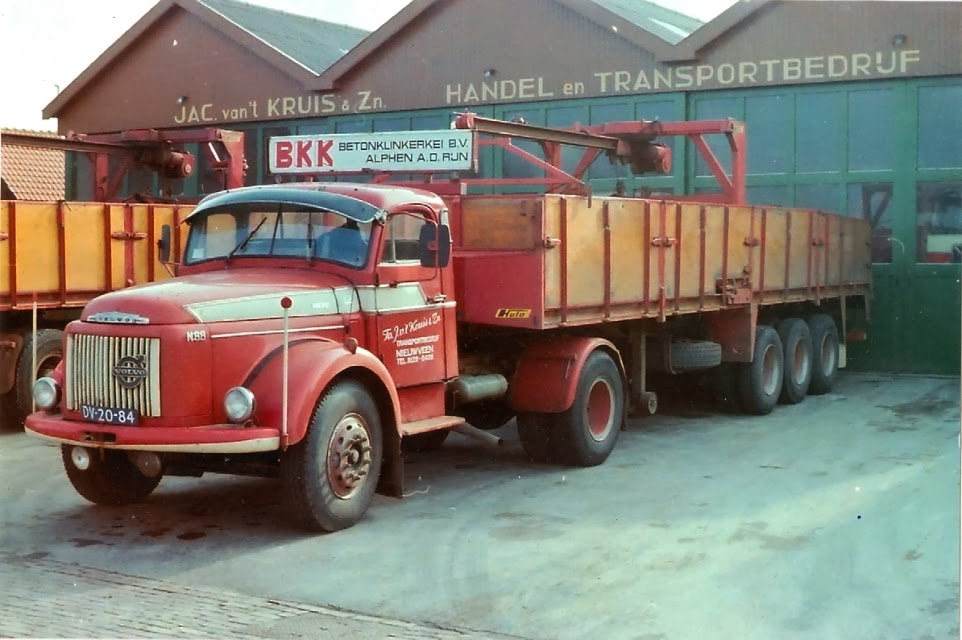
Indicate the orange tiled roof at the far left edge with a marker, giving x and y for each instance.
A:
(32, 173)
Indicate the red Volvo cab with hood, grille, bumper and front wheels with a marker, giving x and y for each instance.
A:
(290, 299)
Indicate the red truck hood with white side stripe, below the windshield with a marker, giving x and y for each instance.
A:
(224, 296)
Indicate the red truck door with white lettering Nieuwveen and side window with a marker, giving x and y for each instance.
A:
(415, 321)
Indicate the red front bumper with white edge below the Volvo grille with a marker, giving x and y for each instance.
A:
(213, 438)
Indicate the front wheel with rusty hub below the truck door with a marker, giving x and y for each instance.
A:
(330, 476)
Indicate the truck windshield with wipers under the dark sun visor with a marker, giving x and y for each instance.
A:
(272, 230)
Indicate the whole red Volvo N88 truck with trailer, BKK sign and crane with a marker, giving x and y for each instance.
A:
(316, 330)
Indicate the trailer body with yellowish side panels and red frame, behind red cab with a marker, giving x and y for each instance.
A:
(541, 262)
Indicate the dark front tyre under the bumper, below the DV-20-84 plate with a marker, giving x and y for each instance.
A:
(110, 477)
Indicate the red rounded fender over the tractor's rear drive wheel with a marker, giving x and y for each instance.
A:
(546, 378)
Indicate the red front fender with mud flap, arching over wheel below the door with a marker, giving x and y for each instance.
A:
(313, 365)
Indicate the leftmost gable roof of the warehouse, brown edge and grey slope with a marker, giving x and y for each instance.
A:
(296, 45)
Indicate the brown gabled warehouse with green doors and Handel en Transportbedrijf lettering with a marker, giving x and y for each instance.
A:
(852, 107)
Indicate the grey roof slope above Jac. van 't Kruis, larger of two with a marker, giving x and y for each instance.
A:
(315, 44)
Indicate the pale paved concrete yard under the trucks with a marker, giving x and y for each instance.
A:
(836, 518)
